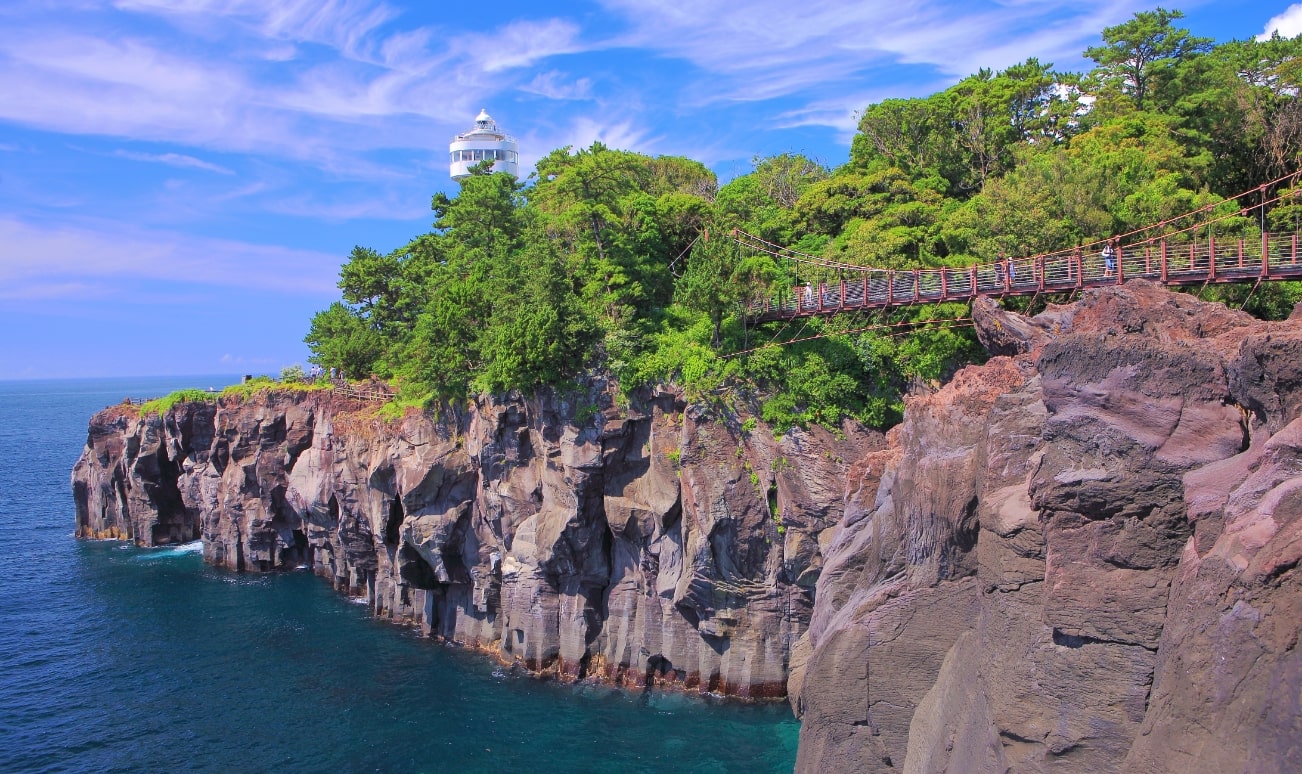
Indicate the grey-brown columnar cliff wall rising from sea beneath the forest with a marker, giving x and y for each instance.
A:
(650, 545)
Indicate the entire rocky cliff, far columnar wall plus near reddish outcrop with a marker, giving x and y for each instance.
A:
(1081, 556)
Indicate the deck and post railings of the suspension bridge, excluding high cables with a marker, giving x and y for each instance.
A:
(1170, 263)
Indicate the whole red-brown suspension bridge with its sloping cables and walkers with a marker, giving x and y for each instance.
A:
(1185, 252)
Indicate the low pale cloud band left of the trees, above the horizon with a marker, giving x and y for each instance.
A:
(104, 260)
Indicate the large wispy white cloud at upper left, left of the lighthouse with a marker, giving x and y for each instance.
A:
(382, 88)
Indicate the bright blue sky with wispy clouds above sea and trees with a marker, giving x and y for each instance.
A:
(180, 180)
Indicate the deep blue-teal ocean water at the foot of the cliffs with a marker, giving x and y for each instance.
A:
(115, 659)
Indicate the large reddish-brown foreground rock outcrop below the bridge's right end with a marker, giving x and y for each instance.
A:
(1079, 557)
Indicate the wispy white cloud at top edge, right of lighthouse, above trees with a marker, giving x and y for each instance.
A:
(769, 50)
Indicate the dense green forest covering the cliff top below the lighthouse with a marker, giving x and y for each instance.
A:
(609, 261)
